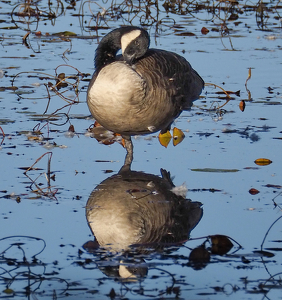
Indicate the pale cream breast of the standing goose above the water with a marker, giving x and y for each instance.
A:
(116, 91)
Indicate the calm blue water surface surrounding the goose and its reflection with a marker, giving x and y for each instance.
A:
(79, 162)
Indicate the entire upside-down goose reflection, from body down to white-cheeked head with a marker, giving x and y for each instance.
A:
(135, 214)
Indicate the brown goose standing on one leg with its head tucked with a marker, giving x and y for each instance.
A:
(141, 91)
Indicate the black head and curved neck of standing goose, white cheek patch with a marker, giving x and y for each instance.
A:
(131, 40)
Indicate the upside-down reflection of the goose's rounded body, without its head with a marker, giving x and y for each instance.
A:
(132, 208)
